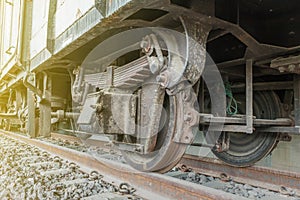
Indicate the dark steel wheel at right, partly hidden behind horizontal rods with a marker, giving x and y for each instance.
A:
(244, 149)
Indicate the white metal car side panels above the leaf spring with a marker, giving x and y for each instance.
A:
(68, 22)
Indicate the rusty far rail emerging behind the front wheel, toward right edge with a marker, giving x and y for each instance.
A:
(272, 179)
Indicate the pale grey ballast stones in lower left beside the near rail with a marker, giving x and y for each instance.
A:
(22, 180)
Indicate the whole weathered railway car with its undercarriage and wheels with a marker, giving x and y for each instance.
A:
(45, 83)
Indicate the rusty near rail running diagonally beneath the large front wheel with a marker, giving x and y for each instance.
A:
(150, 184)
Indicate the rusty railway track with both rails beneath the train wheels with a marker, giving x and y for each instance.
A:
(280, 185)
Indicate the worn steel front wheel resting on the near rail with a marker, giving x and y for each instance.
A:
(167, 153)
